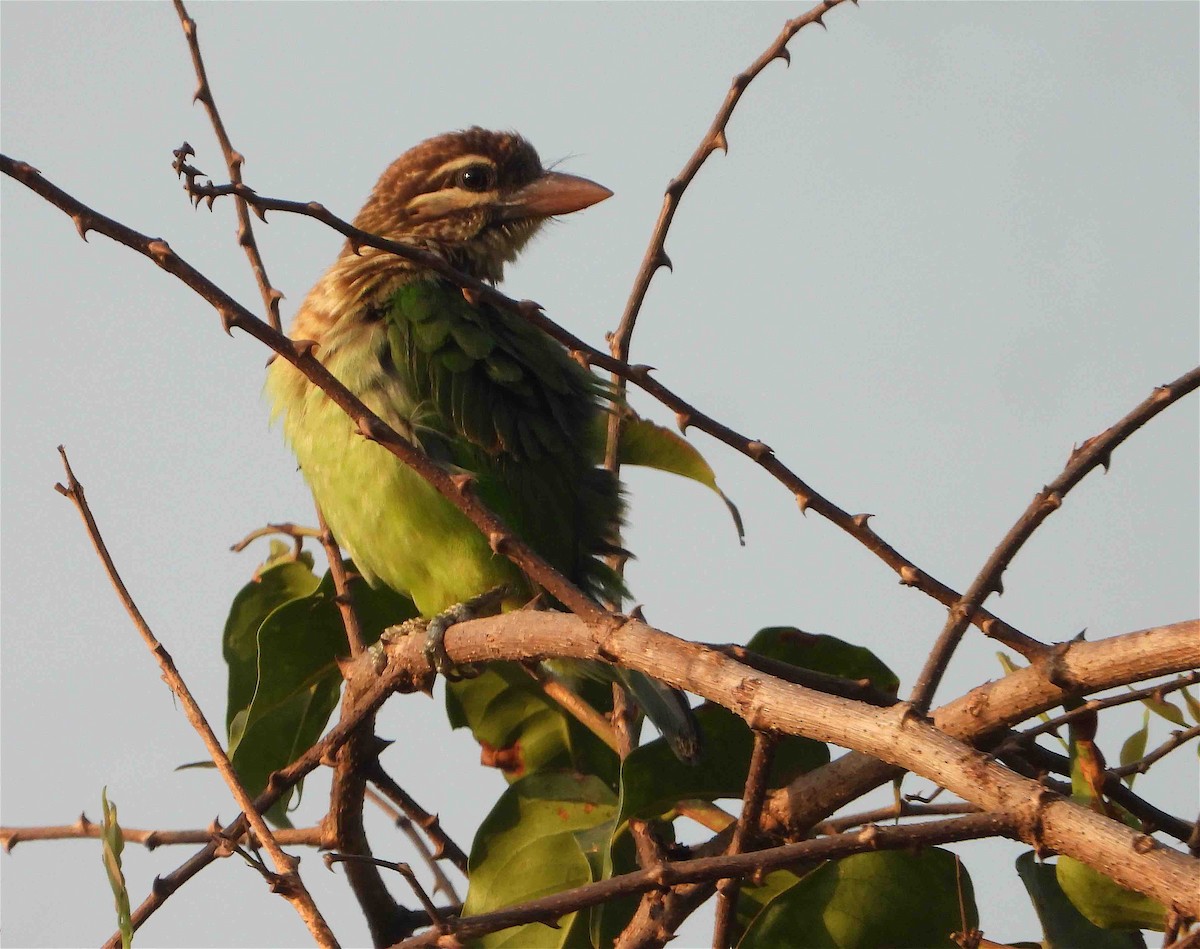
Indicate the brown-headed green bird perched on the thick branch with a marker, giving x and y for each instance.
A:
(475, 387)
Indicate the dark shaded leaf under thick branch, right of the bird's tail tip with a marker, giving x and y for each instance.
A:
(655, 780)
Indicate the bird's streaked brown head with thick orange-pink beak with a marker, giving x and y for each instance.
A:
(475, 197)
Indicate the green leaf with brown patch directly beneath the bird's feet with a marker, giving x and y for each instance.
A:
(507, 711)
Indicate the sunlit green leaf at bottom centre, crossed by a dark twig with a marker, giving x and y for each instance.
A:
(531, 845)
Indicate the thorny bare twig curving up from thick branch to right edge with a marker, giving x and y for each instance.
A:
(1096, 452)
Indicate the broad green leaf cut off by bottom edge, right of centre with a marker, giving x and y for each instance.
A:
(867, 902)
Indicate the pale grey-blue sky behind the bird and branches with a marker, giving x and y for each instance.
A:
(952, 242)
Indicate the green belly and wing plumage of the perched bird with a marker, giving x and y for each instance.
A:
(479, 391)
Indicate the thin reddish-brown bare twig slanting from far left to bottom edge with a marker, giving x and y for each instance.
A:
(286, 881)
